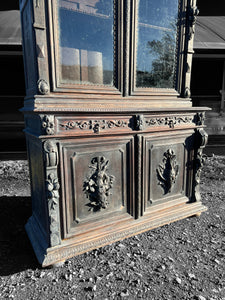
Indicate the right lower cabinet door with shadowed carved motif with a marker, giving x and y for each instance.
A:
(167, 168)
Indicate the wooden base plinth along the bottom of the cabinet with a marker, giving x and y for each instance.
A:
(55, 256)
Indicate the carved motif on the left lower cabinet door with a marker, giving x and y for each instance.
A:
(98, 185)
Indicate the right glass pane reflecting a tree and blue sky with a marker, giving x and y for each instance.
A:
(156, 43)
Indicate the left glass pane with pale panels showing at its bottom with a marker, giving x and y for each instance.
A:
(86, 41)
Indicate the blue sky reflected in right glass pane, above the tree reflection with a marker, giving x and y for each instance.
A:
(156, 18)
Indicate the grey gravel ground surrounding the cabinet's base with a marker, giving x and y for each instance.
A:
(183, 260)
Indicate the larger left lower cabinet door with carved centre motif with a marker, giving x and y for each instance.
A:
(97, 181)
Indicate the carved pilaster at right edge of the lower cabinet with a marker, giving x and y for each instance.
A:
(201, 138)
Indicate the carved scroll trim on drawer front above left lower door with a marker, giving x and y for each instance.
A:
(95, 125)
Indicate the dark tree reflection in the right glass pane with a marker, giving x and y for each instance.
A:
(162, 72)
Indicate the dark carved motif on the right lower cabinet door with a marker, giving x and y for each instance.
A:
(168, 171)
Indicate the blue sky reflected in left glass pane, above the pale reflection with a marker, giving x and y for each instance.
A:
(88, 25)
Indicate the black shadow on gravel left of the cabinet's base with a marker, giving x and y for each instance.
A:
(16, 253)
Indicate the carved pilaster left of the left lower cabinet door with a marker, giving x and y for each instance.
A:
(52, 191)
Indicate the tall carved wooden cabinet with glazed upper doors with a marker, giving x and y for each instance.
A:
(114, 144)
